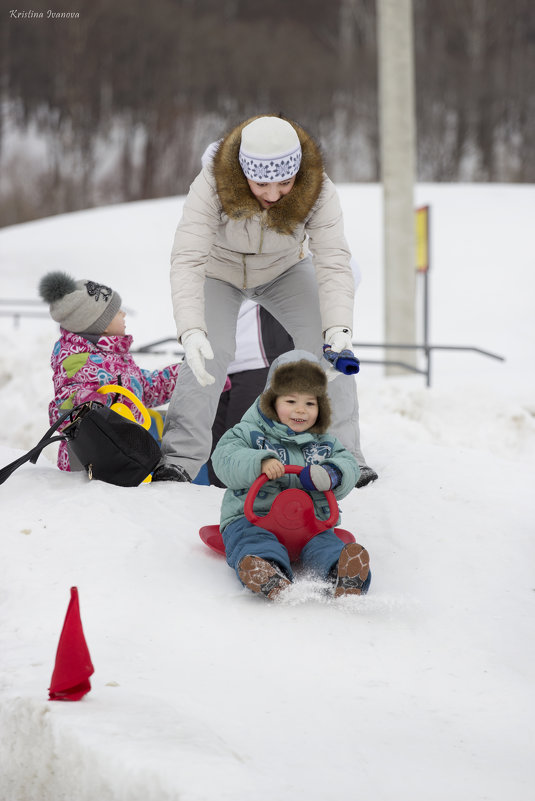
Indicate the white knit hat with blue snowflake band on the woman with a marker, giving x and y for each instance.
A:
(270, 150)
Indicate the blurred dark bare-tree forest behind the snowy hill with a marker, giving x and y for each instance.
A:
(120, 102)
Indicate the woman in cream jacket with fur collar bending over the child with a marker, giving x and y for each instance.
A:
(245, 230)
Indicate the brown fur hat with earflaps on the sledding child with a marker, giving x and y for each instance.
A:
(298, 376)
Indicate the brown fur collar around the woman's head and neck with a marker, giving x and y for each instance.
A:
(236, 197)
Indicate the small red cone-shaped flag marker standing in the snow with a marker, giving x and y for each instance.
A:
(70, 679)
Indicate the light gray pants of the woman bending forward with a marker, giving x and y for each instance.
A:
(292, 299)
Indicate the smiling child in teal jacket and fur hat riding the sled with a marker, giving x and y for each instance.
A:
(288, 424)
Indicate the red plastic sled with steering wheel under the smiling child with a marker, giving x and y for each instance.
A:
(291, 518)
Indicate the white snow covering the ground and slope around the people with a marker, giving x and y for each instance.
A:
(421, 690)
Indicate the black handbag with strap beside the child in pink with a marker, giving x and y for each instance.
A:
(108, 446)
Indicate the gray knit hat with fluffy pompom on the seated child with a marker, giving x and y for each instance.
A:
(83, 307)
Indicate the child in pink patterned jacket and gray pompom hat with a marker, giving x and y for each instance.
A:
(94, 350)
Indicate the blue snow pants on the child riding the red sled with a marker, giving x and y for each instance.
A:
(242, 538)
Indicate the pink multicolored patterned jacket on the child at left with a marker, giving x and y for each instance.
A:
(81, 367)
